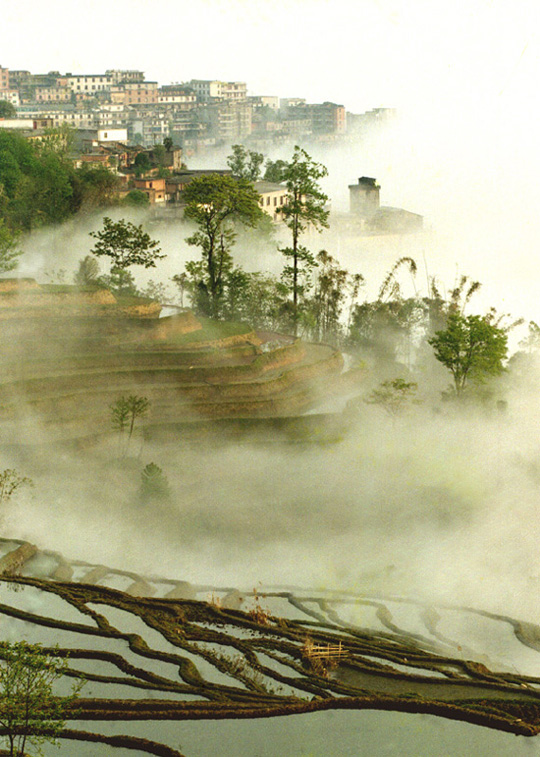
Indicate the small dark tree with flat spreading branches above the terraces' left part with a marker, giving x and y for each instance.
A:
(126, 244)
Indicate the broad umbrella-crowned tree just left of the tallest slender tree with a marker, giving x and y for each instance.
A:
(216, 203)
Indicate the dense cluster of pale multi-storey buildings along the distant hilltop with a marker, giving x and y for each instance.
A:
(197, 114)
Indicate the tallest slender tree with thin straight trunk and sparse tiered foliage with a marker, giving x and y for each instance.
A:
(305, 207)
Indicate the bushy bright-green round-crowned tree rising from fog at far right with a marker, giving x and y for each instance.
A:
(471, 347)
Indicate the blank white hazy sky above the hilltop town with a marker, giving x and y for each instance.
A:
(362, 53)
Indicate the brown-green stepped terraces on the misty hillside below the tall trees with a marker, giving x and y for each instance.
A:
(68, 360)
